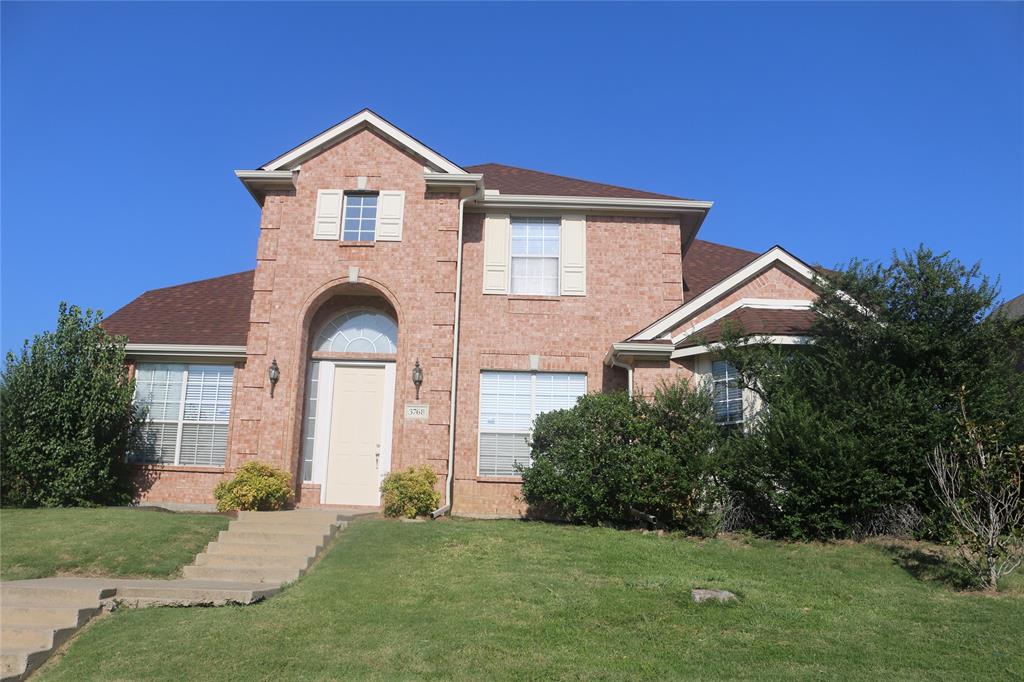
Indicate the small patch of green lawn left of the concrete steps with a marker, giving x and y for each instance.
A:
(39, 543)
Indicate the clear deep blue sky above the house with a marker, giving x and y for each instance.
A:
(836, 131)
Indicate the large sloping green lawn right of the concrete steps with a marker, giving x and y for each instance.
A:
(480, 601)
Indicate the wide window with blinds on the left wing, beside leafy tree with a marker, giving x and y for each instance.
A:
(188, 411)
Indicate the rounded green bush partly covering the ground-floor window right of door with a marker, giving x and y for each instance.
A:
(610, 457)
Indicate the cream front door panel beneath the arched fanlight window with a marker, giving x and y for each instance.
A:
(356, 443)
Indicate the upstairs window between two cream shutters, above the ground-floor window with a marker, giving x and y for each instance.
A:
(536, 249)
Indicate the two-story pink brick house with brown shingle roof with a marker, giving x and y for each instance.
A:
(509, 291)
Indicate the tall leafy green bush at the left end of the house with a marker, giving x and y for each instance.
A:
(66, 406)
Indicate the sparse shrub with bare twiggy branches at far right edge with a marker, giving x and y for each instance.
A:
(979, 484)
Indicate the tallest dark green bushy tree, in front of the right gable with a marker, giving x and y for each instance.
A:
(852, 418)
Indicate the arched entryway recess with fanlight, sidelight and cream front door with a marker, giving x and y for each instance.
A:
(350, 405)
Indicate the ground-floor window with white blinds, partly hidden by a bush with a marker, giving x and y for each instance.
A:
(509, 403)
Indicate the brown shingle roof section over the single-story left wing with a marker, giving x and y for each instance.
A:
(210, 312)
